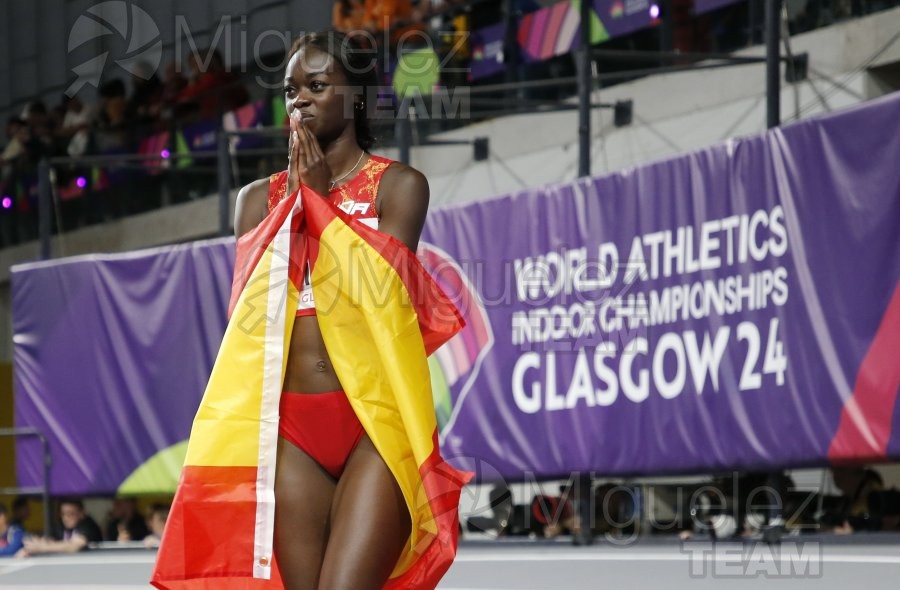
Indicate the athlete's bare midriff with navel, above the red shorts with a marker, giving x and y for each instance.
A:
(309, 370)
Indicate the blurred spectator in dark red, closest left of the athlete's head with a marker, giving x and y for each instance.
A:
(213, 89)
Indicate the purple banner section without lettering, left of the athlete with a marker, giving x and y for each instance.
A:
(112, 354)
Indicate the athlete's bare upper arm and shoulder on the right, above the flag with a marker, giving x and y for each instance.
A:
(402, 203)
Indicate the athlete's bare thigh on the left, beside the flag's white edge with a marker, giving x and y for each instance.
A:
(304, 493)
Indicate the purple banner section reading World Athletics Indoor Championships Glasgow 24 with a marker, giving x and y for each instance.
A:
(713, 311)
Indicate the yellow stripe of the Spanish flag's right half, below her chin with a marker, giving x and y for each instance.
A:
(372, 335)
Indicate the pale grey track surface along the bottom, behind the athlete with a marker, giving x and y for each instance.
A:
(696, 565)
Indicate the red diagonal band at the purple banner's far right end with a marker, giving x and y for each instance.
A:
(865, 426)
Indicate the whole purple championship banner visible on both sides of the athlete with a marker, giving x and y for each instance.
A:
(734, 308)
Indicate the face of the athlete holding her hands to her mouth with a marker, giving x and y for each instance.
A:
(316, 89)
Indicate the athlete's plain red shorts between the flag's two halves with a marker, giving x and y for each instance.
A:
(322, 425)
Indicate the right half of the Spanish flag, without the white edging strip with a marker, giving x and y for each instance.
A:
(380, 315)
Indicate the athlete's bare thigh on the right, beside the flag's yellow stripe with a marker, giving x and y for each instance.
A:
(370, 524)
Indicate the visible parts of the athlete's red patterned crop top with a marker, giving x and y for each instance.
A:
(356, 198)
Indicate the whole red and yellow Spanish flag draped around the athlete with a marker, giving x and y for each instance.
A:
(381, 315)
